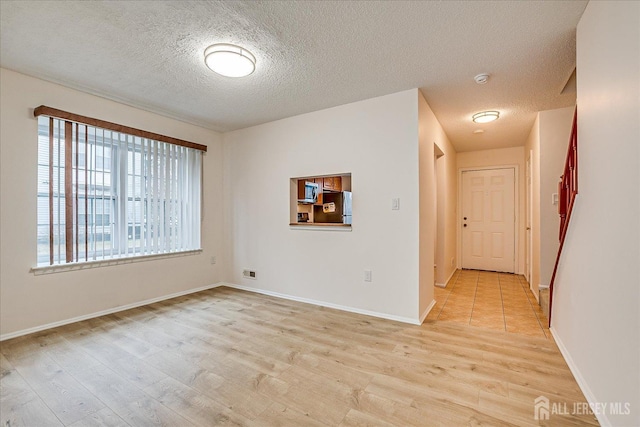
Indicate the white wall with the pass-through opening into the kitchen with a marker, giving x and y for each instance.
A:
(377, 142)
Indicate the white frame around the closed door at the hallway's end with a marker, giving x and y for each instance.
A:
(516, 200)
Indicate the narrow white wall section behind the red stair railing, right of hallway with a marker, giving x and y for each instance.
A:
(555, 129)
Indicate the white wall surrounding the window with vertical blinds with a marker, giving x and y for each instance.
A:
(28, 301)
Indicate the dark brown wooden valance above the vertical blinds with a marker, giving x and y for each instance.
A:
(64, 115)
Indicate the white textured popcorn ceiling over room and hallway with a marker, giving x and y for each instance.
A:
(310, 56)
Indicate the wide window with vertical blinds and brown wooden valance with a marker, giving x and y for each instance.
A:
(106, 194)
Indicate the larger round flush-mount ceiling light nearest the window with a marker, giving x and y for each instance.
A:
(229, 60)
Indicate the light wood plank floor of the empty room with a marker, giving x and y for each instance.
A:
(228, 357)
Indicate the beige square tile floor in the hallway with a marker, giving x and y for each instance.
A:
(490, 300)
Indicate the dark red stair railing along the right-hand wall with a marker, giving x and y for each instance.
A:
(567, 191)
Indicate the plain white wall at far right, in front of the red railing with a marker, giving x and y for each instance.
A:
(596, 302)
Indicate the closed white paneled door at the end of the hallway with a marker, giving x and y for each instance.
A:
(488, 220)
